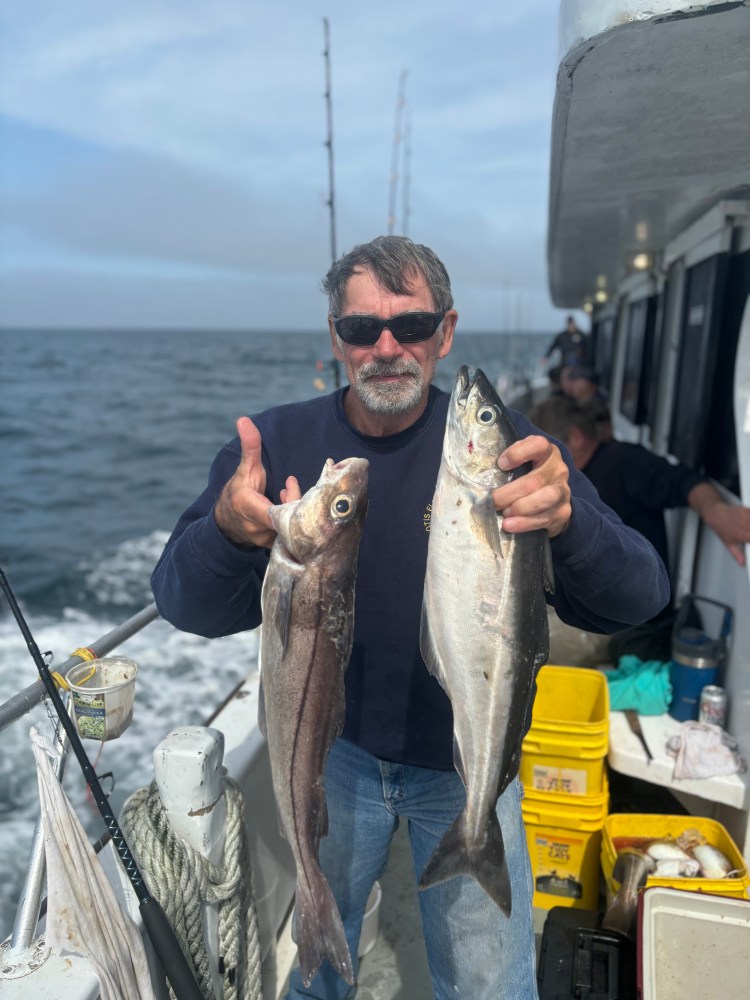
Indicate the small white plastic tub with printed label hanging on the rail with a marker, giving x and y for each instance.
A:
(103, 692)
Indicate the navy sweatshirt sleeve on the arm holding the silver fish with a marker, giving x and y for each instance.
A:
(607, 576)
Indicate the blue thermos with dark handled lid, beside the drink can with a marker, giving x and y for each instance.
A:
(697, 657)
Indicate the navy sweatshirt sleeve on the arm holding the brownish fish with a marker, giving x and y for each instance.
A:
(203, 583)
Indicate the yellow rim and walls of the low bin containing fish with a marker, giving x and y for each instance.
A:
(635, 827)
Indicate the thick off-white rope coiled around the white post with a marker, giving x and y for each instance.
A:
(183, 880)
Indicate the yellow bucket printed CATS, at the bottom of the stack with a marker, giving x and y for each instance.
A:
(563, 835)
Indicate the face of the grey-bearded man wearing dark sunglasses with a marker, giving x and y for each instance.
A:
(391, 380)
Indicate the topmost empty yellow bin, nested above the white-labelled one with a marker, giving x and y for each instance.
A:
(571, 701)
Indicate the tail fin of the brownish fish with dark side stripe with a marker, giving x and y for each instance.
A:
(320, 934)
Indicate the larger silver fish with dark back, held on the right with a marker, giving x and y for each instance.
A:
(484, 628)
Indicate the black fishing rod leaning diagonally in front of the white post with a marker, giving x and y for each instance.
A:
(158, 928)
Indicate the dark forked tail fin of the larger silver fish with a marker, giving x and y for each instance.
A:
(485, 862)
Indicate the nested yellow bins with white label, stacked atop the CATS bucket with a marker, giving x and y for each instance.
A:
(565, 748)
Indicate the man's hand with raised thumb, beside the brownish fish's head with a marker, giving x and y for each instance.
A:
(241, 511)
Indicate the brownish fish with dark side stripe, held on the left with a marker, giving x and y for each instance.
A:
(308, 621)
